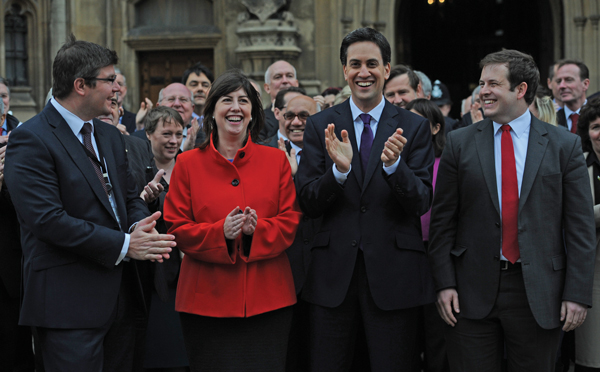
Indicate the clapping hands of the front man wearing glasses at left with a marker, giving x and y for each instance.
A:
(147, 244)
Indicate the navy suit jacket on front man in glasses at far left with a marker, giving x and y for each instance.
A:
(70, 237)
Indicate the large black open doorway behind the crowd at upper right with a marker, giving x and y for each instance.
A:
(446, 40)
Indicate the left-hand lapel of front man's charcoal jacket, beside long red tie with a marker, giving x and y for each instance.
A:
(484, 142)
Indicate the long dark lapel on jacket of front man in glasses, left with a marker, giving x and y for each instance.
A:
(75, 150)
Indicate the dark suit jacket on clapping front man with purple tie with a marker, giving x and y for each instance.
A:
(381, 214)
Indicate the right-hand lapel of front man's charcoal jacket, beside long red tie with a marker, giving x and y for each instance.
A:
(536, 148)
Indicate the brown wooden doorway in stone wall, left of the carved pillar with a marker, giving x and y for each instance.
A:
(161, 68)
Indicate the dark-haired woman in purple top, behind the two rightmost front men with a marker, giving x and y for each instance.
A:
(433, 329)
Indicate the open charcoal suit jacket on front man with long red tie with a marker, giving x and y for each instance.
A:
(465, 232)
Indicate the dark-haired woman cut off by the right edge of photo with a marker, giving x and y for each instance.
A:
(587, 336)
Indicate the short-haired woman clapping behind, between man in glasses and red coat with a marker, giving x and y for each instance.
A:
(165, 350)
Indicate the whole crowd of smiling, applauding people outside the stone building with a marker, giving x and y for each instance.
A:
(362, 229)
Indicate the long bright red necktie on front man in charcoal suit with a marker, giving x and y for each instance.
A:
(510, 198)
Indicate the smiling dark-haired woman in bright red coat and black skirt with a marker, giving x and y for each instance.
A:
(232, 208)
